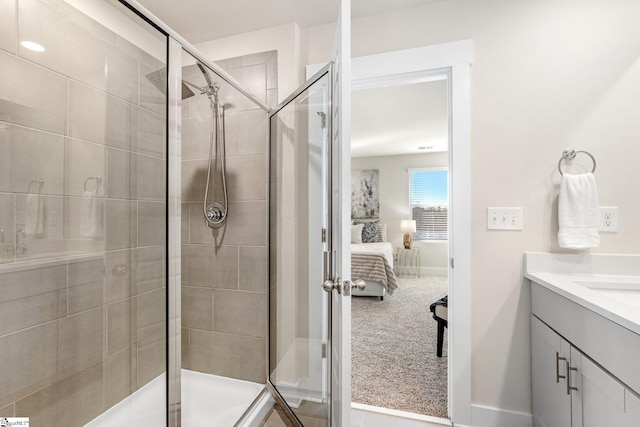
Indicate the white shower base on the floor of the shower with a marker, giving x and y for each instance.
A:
(207, 400)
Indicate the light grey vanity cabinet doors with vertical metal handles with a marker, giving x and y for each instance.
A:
(569, 390)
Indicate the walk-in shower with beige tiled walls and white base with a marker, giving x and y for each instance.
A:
(104, 245)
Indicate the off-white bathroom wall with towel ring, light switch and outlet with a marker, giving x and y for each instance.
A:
(546, 75)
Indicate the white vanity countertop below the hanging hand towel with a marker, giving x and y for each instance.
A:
(608, 285)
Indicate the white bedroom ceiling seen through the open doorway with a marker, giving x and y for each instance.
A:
(399, 119)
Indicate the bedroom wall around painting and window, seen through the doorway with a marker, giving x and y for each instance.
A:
(394, 202)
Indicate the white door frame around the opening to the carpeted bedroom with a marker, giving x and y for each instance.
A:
(401, 66)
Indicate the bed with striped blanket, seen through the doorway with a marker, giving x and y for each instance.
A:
(373, 263)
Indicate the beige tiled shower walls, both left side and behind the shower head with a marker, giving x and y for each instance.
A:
(82, 320)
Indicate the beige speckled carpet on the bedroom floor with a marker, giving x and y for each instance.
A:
(394, 363)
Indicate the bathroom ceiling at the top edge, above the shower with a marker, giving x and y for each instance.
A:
(203, 20)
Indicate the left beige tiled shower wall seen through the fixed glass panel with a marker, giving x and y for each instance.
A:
(82, 320)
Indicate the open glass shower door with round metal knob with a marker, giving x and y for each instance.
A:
(299, 244)
